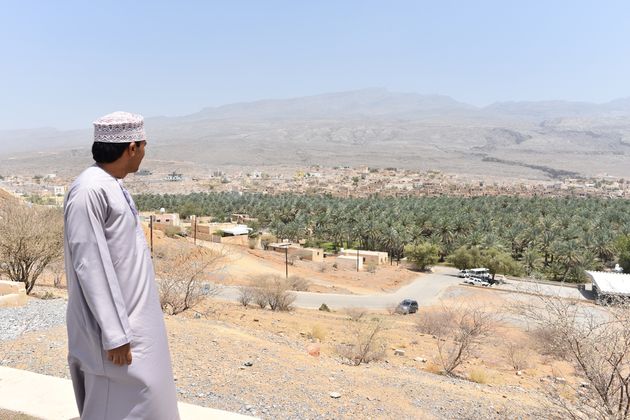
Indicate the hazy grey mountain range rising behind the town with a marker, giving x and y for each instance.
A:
(374, 127)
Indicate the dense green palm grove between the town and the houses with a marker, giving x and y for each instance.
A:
(552, 238)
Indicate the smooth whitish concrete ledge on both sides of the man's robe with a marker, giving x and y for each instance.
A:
(52, 398)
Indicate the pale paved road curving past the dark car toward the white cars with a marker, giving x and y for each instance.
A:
(426, 289)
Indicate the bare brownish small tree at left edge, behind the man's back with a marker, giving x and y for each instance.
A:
(31, 238)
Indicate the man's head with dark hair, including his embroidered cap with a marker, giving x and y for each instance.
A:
(119, 140)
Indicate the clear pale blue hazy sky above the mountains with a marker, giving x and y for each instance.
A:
(64, 63)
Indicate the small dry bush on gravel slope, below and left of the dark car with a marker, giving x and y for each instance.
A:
(366, 342)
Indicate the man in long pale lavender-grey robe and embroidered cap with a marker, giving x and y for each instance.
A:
(118, 350)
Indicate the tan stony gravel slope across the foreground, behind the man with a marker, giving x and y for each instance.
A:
(256, 362)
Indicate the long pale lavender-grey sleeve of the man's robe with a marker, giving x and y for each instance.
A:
(90, 256)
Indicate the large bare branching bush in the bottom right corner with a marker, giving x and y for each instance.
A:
(597, 343)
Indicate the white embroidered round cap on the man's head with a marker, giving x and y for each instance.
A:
(119, 127)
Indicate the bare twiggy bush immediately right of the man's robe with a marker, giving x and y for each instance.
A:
(182, 271)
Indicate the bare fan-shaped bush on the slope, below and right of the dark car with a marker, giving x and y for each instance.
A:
(460, 330)
